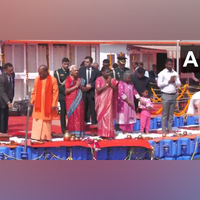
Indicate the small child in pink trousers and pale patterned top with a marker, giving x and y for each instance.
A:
(145, 116)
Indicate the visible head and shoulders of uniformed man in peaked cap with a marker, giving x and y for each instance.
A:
(119, 71)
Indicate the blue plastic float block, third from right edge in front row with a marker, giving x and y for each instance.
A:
(168, 149)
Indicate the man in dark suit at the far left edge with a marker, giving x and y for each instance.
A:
(7, 85)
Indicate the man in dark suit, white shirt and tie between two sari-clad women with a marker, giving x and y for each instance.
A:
(89, 74)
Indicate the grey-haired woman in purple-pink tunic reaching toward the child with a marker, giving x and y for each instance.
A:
(126, 115)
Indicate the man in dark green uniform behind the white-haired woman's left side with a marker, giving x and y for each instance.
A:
(61, 75)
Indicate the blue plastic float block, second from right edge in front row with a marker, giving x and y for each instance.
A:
(183, 148)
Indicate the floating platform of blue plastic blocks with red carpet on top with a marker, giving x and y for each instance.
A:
(176, 146)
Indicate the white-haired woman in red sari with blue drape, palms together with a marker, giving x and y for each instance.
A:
(74, 102)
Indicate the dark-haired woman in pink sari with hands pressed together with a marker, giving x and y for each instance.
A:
(105, 105)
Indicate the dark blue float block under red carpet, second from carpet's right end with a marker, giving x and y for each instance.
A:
(117, 153)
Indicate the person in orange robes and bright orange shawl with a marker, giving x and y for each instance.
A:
(44, 97)
